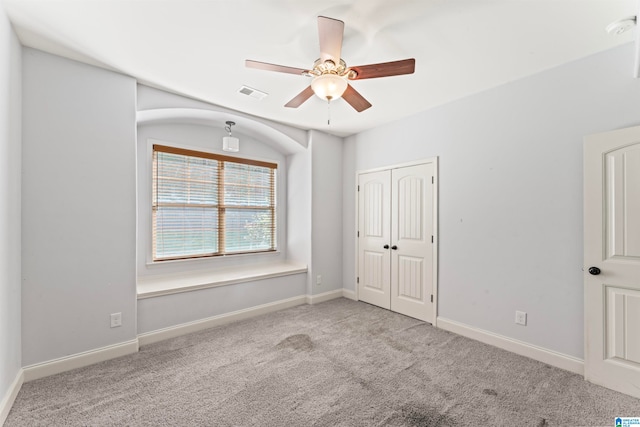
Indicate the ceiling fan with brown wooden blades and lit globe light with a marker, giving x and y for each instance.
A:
(331, 74)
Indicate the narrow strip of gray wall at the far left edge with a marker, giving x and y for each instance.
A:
(10, 152)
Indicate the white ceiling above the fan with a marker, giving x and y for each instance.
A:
(197, 47)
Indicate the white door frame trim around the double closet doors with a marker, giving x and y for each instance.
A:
(436, 231)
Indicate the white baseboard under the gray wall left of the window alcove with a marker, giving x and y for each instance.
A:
(79, 360)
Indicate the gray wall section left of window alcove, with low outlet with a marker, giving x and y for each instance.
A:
(78, 207)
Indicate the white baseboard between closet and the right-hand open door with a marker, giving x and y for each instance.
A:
(559, 360)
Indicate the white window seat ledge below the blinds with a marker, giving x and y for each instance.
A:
(149, 287)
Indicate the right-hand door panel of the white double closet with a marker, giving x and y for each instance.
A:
(412, 241)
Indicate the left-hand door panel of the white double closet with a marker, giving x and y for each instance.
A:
(374, 223)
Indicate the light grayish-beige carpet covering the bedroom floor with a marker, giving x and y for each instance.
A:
(339, 363)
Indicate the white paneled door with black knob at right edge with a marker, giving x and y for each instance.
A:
(612, 259)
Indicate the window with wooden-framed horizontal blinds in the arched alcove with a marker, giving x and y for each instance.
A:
(207, 204)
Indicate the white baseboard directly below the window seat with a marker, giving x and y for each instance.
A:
(210, 322)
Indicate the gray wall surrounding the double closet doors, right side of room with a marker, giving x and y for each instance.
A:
(510, 193)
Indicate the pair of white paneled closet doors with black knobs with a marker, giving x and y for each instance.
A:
(395, 247)
